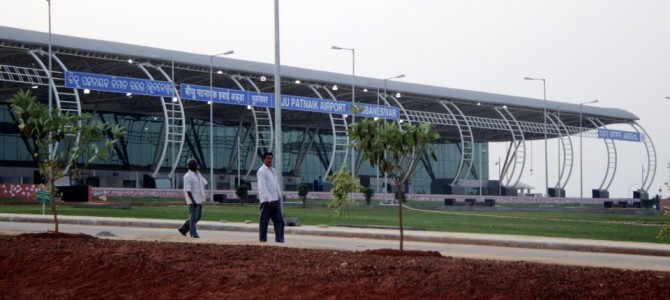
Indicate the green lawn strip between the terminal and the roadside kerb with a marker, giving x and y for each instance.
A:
(603, 226)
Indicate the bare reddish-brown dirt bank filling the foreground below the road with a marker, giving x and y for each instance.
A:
(39, 266)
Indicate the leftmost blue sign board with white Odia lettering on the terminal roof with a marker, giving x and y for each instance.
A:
(118, 84)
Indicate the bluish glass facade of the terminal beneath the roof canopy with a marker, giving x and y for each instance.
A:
(145, 135)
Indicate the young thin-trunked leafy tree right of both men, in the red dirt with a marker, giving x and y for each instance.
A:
(395, 148)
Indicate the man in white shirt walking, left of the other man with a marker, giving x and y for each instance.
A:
(194, 191)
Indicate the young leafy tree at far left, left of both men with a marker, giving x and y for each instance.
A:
(46, 127)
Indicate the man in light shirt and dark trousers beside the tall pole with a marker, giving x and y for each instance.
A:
(269, 196)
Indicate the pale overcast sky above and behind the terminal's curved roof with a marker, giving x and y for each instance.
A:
(616, 51)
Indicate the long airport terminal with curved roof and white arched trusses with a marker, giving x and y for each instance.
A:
(220, 111)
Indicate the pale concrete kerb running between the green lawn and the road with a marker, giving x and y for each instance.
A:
(372, 233)
